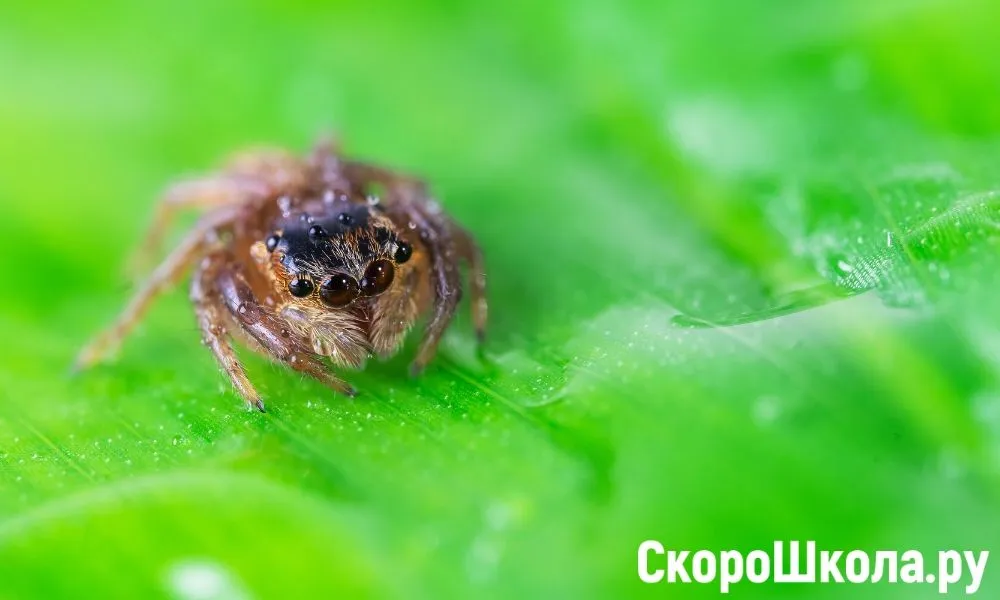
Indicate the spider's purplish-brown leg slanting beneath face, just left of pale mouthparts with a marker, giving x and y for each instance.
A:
(273, 333)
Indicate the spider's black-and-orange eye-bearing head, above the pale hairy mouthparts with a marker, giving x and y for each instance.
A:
(333, 257)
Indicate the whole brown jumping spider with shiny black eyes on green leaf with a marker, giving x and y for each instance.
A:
(298, 259)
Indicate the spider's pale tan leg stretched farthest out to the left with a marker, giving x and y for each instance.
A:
(163, 278)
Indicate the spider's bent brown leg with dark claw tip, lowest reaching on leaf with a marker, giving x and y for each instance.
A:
(213, 330)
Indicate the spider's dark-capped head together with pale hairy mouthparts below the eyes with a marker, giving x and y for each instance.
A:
(342, 268)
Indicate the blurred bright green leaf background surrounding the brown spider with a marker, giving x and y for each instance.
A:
(813, 183)
